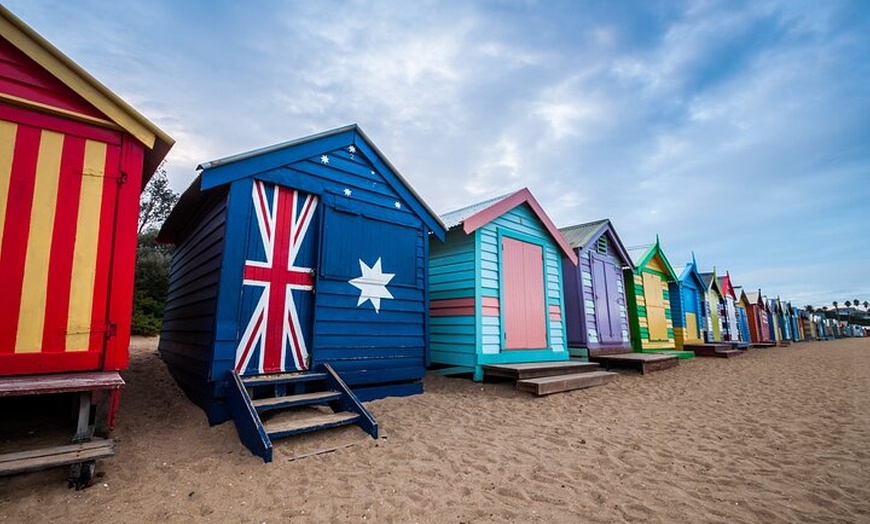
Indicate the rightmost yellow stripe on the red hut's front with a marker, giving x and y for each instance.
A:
(84, 271)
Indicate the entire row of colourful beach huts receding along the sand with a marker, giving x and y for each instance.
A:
(311, 261)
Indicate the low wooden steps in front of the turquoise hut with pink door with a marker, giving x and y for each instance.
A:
(545, 378)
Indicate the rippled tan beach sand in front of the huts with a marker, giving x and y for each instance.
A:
(775, 435)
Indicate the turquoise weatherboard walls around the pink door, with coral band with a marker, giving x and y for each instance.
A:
(466, 310)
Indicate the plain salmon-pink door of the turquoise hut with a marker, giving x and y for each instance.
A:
(525, 322)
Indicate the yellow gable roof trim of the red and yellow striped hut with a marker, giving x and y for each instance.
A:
(119, 113)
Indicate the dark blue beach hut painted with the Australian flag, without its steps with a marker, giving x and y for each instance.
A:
(307, 252)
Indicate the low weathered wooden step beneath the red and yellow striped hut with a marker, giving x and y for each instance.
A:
(22, 461)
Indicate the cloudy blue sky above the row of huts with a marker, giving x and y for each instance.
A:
(737, 130)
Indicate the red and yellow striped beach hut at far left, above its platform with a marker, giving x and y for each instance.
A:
(73, 160)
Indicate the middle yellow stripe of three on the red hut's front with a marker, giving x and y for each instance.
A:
(31, 317)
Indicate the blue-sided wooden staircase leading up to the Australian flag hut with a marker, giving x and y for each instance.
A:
(267, 407)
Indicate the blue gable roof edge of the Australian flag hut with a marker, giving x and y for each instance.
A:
(243, 165)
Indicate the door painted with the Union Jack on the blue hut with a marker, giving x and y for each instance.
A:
(278, 281)
